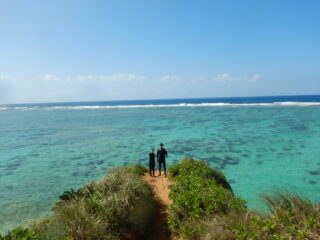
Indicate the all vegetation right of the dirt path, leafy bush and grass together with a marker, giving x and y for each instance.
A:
(204, 208)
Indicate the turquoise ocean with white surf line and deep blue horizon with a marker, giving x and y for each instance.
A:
(262, 144)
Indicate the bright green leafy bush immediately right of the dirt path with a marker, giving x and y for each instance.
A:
(198, 191)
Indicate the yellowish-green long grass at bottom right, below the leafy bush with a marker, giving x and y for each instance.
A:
(291, 218)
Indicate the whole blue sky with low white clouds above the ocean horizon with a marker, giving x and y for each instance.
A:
(65, 50)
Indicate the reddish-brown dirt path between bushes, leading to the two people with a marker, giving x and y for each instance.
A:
(160, 185)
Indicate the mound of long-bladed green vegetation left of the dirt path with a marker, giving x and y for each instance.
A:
(119, 205)
